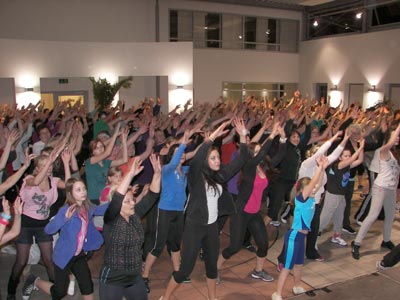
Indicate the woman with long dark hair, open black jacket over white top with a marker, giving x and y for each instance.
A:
(205, 179)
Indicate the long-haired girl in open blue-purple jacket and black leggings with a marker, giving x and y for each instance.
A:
(78, 235)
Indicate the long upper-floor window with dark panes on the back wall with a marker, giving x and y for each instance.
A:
(229, 31)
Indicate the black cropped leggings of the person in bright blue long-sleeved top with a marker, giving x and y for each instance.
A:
(169, 231)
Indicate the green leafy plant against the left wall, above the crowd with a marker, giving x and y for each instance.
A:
(104, 92)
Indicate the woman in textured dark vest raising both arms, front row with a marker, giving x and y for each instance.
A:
(120, 275)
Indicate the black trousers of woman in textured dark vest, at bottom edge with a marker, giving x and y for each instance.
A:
(136, 291)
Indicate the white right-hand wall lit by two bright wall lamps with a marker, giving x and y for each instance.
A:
(371, 59)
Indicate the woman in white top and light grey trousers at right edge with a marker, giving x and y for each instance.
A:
(383, 193)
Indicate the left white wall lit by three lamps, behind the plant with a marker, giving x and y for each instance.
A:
(28, 61)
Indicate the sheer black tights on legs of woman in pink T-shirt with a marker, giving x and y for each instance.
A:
(21, 260)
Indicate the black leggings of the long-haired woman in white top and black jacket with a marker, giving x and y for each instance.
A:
(196, 236)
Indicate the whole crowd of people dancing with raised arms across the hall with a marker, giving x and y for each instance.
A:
(137, 180)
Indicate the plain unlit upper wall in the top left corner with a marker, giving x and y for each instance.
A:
(78, 20)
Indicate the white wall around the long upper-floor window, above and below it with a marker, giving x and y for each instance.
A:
(214, 66)
